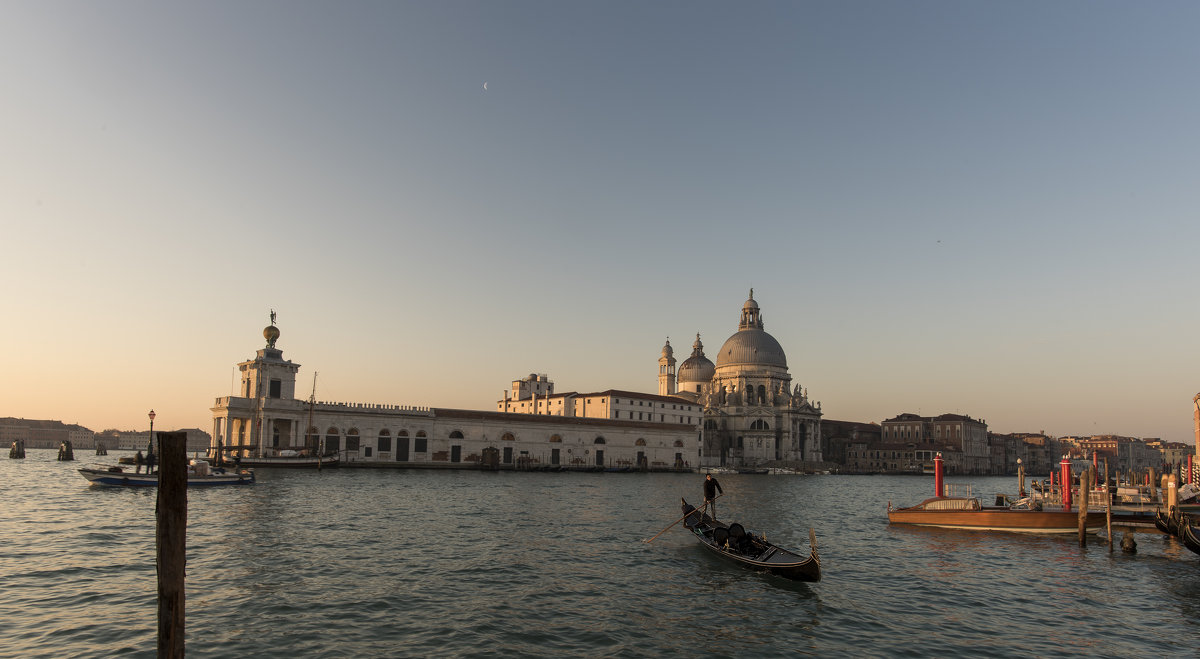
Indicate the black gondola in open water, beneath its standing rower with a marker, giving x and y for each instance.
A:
(734, 543)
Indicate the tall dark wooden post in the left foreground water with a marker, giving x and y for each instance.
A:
(171, 512)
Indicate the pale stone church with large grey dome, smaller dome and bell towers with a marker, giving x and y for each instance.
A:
(753, 415)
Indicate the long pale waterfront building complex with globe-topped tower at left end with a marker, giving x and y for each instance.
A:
(268, 420)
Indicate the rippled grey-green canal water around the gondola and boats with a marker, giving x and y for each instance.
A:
(423, 564)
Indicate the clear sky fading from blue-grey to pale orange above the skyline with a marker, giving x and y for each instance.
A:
(943, 207)
